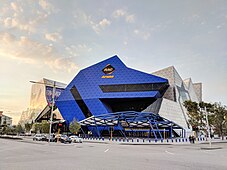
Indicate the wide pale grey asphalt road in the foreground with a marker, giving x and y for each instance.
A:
(26, 154)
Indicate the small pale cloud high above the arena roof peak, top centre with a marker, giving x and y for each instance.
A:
(129, 18)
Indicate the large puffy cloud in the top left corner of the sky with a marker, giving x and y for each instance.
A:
(19, 15)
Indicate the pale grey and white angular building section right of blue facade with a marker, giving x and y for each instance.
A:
(171, 105)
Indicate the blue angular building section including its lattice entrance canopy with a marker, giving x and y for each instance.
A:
(111, 95)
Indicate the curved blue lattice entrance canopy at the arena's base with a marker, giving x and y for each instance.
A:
(131, 121)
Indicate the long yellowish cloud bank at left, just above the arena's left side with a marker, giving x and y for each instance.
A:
(26, 50)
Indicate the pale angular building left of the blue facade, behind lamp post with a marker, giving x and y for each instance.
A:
(40, 101)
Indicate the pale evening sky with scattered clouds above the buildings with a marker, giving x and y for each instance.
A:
(55, 39)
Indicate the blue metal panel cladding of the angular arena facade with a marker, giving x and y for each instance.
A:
(87, 83)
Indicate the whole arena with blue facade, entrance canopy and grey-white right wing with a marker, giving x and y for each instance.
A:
(109, 97)
